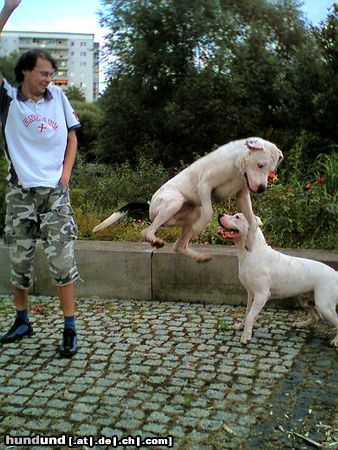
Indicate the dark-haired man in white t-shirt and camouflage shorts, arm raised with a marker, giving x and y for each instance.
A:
(38, 125)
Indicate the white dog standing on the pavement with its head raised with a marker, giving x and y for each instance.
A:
(266, 273)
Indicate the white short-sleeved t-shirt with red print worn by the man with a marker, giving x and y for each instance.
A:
(36, 135)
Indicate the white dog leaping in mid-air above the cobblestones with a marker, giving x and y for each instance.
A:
(239, 167)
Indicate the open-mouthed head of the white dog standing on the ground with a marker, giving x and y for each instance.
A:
(235, 227)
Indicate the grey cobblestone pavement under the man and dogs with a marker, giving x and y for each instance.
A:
(154, 369)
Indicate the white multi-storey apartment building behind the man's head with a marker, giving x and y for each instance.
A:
(76, 54)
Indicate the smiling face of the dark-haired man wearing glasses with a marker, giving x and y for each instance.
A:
(38, 79)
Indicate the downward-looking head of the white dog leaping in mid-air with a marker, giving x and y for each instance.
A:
(262, 158)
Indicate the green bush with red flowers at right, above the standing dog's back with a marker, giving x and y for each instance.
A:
(303, 212)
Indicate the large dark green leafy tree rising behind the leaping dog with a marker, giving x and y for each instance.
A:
(185, 76)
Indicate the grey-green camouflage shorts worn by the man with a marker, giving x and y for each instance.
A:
(43, 213)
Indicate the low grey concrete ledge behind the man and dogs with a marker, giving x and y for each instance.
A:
(128, 270)
